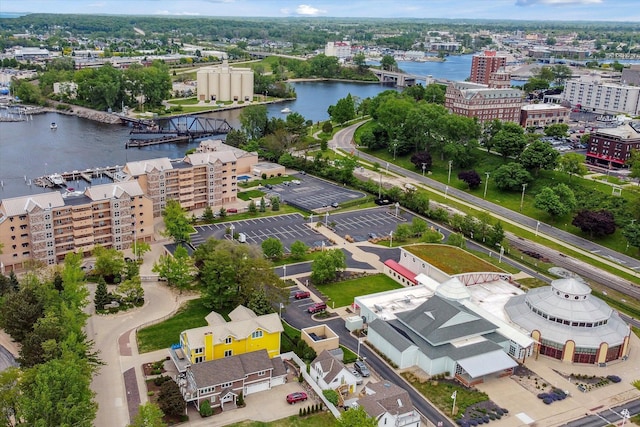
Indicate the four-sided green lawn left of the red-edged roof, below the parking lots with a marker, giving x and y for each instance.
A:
(342, 293)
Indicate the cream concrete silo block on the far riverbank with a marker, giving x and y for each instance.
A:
(225, 83)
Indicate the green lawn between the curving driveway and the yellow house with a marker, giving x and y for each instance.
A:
(162, 335)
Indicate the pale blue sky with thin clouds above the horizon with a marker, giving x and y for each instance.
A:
(570, 10)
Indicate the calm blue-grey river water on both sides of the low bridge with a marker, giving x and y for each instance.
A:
(30, 149)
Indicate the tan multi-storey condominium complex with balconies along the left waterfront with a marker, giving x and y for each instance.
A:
(45, 227)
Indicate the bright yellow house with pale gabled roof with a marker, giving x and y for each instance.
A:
(245, 333)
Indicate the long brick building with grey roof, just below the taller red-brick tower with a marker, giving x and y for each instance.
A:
(484, 102)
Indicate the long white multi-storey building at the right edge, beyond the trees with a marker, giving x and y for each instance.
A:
(594, 94)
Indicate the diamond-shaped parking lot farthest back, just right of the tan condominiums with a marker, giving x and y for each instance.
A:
(313, 193)
